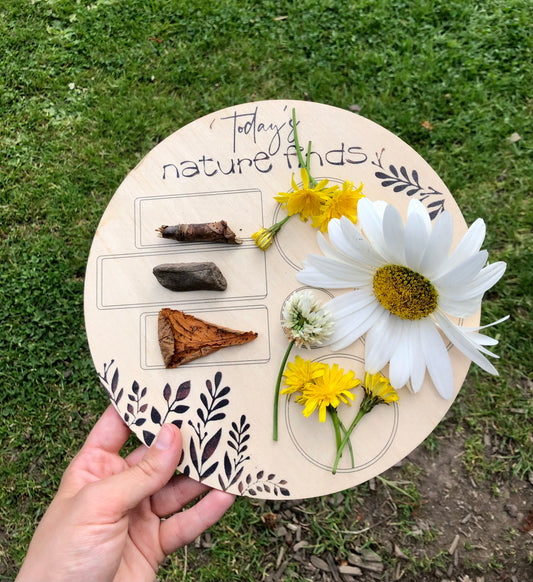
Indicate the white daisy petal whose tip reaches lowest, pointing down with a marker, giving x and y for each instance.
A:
(437, 358)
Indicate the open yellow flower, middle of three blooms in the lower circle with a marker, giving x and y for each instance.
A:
(329, 389)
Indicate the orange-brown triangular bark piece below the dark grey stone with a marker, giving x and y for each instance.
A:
(183, 337)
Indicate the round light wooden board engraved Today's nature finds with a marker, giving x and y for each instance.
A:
(228, 166)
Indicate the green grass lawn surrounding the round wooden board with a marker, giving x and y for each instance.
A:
(86, 90)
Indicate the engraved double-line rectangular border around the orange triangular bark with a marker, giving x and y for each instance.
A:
(199, 363)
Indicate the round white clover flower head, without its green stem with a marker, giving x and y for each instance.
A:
(305, 321)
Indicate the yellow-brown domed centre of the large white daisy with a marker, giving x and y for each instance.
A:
(404, 292)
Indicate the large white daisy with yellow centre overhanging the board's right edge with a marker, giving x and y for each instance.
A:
(408, 284)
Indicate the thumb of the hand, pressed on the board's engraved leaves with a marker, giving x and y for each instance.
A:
(151, 473)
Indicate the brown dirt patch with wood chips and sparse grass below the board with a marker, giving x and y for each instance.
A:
(425, 520)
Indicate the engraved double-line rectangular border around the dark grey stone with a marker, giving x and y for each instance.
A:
(182, 300)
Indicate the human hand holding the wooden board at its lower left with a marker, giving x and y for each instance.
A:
(106, 520)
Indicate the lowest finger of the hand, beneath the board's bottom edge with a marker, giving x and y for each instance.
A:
(182, 528)
